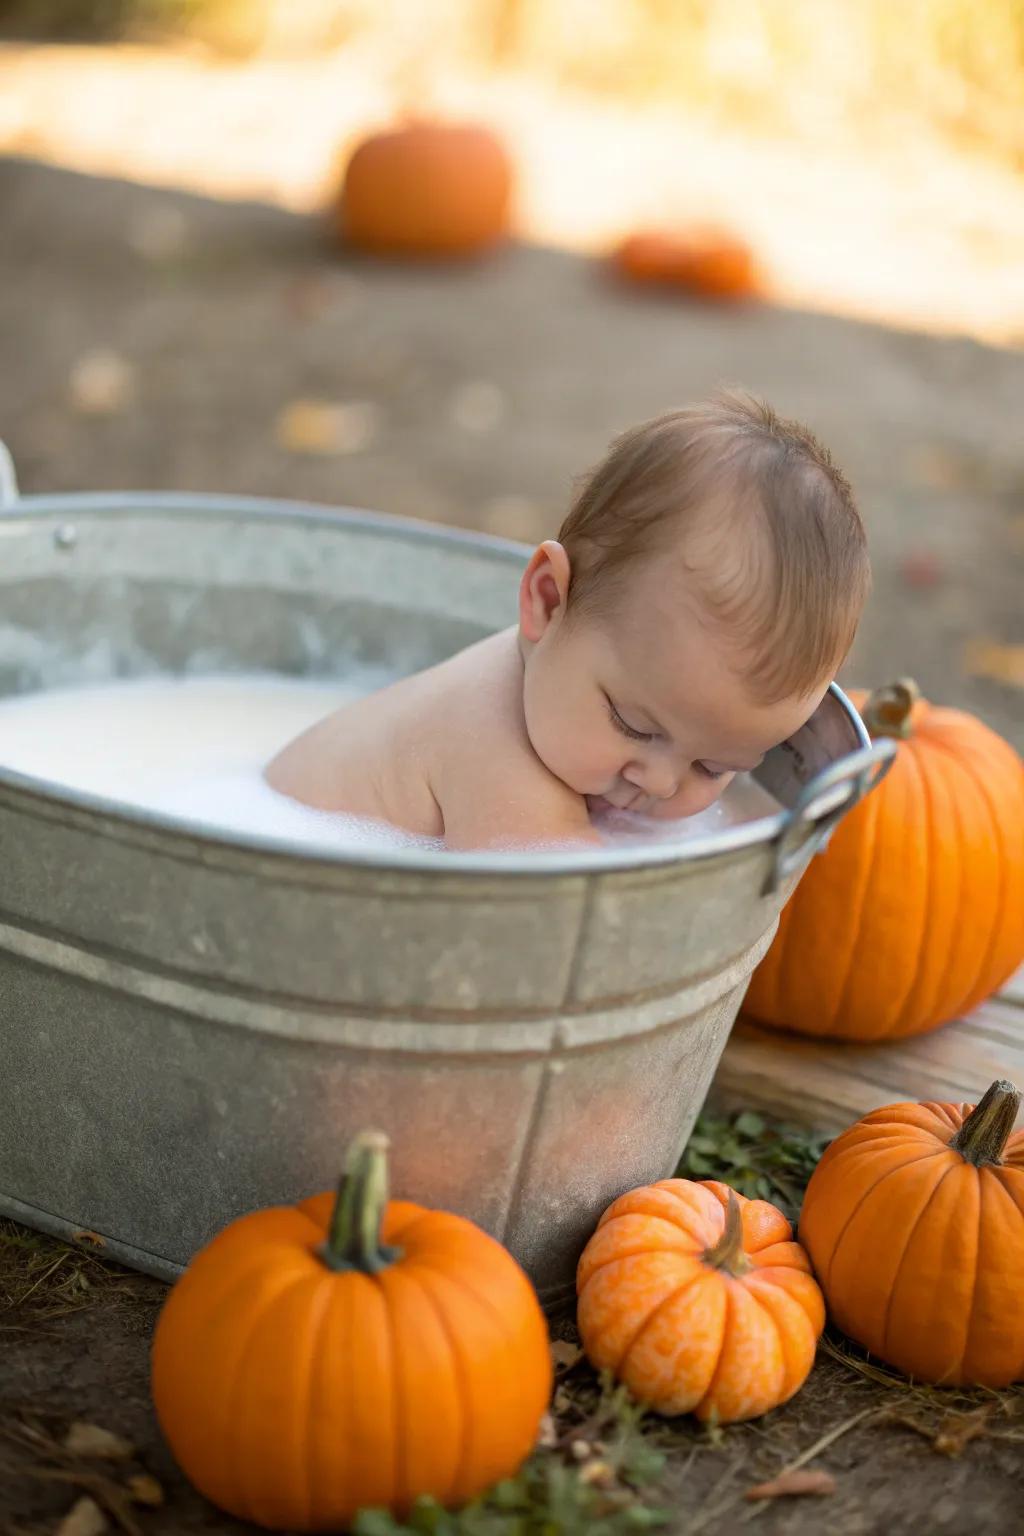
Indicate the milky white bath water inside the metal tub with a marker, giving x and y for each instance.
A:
(196, 749)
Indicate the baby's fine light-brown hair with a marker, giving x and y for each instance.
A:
(765, 523)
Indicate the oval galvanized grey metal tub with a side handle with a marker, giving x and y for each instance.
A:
(194, 1025)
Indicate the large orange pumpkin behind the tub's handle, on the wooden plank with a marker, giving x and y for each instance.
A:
(916, 912)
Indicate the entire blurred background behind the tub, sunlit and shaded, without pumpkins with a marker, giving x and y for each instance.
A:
(182, 305)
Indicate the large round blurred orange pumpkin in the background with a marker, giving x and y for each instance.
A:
(428, 190)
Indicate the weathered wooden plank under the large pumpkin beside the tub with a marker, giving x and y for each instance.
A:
(828, 1084)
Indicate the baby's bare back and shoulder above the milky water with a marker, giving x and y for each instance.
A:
(443, 755)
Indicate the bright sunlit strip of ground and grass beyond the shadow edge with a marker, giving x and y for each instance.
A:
(870, 151)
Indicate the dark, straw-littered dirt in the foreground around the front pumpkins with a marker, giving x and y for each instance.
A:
(899, 1458)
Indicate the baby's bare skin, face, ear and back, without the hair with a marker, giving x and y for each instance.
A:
(523, 737)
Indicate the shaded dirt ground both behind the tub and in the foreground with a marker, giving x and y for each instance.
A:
(154, 340)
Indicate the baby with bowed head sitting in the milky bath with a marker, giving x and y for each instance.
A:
(690, 617)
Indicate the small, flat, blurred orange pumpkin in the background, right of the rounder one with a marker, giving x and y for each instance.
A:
(709, 263)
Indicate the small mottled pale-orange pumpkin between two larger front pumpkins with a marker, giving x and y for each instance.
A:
(699, 1300)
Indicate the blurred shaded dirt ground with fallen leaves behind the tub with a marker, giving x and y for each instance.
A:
(157, 340)
